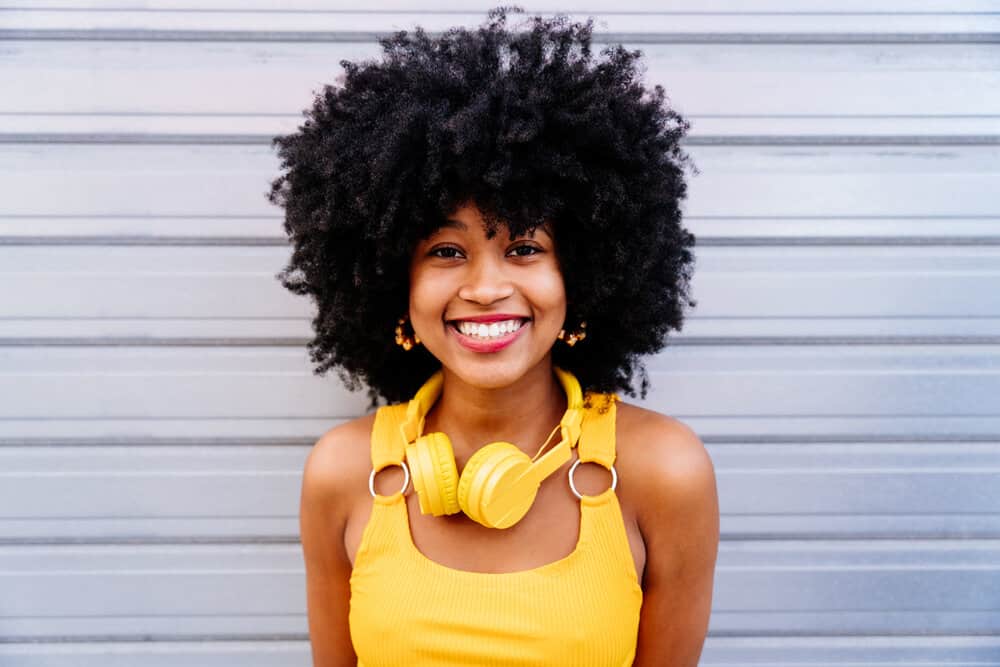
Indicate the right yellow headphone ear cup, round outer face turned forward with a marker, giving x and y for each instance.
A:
(486, 492)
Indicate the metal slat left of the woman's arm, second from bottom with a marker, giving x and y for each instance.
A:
(153, 591)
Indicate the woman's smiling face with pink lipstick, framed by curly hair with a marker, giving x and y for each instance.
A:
(488, 309)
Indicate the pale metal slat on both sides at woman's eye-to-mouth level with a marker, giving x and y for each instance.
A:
(879, 283)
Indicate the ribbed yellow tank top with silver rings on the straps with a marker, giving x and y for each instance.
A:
(581, 610)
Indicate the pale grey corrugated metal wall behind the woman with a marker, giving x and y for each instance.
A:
(157, 402)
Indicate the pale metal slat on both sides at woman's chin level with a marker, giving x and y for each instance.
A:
(766, 383)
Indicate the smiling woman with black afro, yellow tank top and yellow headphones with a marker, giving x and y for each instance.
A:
(489, 223)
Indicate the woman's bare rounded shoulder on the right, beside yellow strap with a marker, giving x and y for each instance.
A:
(660, 458)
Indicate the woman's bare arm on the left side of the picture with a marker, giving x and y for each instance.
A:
(323, 512)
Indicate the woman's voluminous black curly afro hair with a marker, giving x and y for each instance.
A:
(526, 126)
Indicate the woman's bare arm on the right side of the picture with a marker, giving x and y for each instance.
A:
(679, 521)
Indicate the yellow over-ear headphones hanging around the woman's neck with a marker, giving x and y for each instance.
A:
(499, 482)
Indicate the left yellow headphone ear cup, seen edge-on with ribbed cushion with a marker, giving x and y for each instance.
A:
(435, 477)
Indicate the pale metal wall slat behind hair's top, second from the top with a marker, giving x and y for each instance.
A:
(242, 117)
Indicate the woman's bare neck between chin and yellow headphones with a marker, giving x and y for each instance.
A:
(523, 413)
